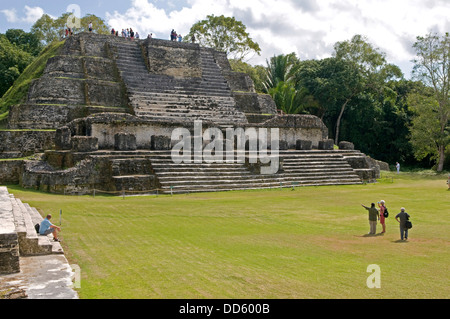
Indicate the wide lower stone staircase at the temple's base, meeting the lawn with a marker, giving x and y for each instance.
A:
(299, 168)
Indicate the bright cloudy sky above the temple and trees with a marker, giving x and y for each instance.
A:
(310, 28)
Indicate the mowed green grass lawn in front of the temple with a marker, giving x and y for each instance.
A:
(306, 243)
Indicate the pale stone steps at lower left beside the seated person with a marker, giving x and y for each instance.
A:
(31, 243)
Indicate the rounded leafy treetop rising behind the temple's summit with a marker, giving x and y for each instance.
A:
(224, 34)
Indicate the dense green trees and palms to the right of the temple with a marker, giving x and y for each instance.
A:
(363, 99)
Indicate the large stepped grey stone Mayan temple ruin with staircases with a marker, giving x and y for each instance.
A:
(102, 117)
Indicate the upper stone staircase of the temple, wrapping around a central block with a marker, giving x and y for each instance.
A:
(166, 98)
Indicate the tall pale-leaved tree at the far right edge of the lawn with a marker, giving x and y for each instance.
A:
(432, 67)
